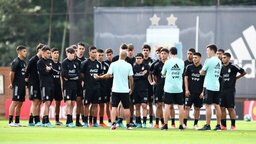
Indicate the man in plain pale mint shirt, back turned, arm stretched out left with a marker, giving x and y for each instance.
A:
(123, 76)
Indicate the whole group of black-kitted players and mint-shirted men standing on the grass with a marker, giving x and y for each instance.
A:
(163, 82)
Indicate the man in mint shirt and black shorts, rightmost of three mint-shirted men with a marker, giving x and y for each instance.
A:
(211, 69)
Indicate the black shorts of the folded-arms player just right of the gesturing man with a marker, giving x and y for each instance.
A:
(139, 97)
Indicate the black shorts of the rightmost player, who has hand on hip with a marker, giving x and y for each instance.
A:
(228, 98)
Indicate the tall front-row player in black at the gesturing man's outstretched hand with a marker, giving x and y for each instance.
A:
(90, 68)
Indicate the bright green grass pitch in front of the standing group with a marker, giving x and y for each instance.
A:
(245, 134)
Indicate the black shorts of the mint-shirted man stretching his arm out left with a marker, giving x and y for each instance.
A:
(123, 97)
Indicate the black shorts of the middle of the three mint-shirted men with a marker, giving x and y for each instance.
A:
(173, 98)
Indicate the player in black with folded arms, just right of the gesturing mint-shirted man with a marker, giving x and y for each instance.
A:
(140, 91)
